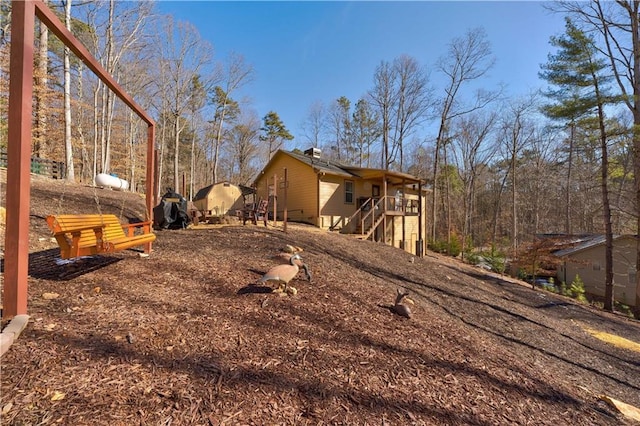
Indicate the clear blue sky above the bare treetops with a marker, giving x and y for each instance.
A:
(305, 52)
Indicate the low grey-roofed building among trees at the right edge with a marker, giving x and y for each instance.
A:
(588, 261)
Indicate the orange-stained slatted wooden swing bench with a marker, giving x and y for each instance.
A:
(89, 234)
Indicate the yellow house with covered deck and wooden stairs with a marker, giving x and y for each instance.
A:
(373, 204)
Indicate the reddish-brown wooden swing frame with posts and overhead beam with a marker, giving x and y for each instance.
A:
(16, 262)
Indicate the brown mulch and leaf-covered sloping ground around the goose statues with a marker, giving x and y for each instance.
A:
(185, 338)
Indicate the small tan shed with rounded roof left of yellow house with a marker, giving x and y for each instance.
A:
(219, 199)
